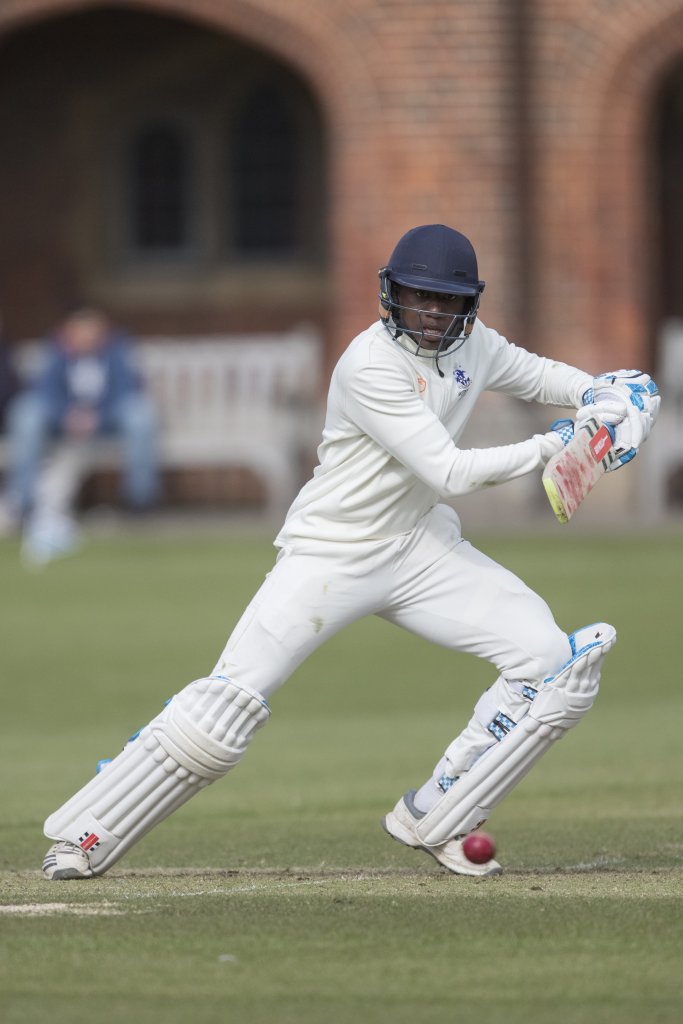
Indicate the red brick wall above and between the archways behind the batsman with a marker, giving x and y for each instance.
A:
(523, 122)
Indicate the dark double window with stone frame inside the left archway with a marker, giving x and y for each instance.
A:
(217, 187)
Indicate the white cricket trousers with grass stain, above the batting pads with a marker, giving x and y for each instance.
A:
(431, 582)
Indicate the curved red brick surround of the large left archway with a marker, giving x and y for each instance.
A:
(337, 74)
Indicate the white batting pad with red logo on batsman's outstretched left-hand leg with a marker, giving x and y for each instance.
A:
(199, 737)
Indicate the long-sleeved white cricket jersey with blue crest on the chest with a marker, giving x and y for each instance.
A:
(390, 444)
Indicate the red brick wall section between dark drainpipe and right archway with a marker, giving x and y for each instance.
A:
(599, 83)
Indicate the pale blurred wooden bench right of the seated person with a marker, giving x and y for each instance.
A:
(250, 402)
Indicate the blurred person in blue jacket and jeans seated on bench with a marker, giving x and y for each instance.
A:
(88, 390)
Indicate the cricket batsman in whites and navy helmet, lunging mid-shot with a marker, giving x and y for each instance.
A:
(373, 533)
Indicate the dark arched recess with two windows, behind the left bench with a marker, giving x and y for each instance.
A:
(170, 173)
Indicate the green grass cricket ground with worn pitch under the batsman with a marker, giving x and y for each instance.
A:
(275, 898)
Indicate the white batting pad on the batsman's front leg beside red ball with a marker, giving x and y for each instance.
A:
(561, 704)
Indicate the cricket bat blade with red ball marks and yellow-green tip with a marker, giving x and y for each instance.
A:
(573, 474)
